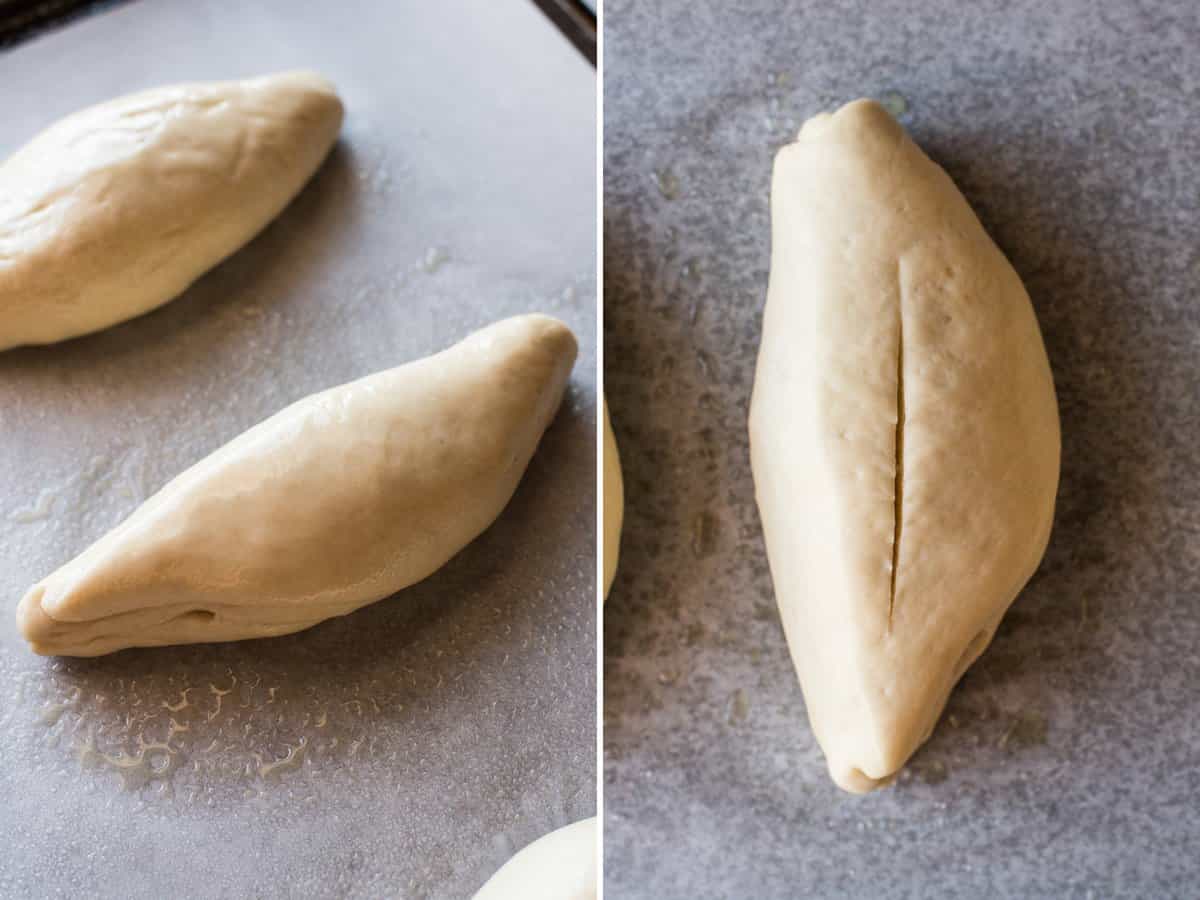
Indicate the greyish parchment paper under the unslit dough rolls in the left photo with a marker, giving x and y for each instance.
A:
(405, 751)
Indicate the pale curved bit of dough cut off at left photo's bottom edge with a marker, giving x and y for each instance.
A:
(561, 866)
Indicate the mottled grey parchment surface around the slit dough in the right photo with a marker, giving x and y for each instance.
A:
(1069, 763)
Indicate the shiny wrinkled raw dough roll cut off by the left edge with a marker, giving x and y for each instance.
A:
(117, 209)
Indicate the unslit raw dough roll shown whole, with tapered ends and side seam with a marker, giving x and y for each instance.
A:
(339, 501)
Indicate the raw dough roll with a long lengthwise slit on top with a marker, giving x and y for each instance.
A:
(904, 436)
